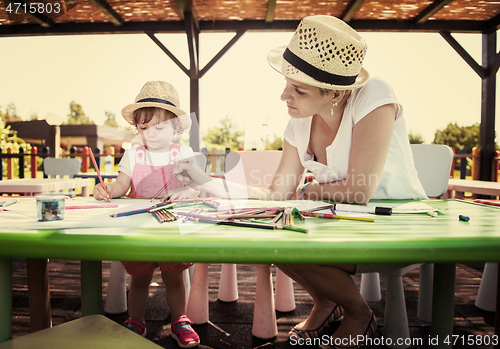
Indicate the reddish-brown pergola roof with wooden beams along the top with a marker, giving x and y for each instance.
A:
(118, 16)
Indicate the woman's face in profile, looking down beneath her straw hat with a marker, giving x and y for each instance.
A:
(305, 100)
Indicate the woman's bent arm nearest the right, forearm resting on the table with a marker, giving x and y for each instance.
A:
(371, 139)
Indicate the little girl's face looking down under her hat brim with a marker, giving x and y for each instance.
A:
(157, 135)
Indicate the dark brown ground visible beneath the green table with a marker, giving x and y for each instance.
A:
(231, 323)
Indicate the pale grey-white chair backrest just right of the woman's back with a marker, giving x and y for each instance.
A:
(433, 163)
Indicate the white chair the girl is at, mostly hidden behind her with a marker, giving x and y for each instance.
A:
(116, 295)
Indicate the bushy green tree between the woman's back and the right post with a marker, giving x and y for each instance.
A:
(458, 137)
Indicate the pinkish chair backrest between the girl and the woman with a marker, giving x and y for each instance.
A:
(259, 166)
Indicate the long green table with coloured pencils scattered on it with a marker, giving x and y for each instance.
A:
(400, 238)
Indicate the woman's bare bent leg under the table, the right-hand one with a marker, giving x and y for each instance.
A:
(337, 285)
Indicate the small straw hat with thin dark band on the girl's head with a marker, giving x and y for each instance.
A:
(158, 94)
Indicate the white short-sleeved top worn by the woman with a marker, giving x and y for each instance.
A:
(399, 178)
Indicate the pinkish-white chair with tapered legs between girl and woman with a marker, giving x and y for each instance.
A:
(258, 168)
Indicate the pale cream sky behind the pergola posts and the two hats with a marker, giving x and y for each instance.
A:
(42, 75)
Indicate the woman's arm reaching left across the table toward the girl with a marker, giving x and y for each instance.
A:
(284, 183)
